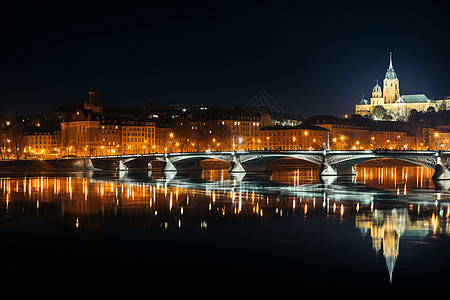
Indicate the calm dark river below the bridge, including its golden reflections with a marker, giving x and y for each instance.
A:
(383, 232)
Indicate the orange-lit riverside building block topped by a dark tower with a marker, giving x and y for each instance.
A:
(92, 131)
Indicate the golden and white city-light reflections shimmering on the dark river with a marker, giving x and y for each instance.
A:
(385, 204)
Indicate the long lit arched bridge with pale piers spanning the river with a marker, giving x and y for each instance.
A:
(332, 163)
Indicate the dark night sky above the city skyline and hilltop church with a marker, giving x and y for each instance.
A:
(311, 58)
